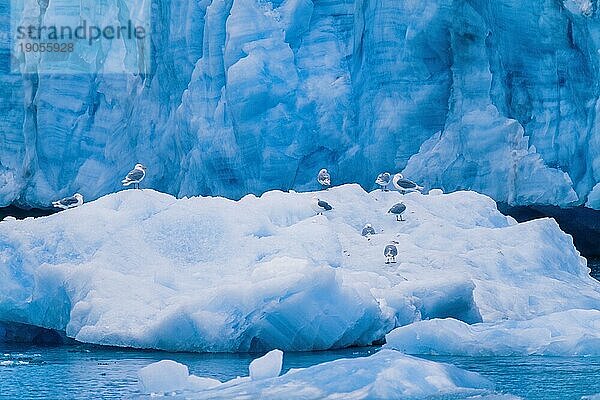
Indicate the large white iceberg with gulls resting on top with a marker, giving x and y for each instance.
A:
(141, 268)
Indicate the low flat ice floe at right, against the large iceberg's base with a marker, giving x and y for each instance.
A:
(568, 333)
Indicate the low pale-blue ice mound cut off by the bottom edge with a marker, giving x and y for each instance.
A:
(387, 374)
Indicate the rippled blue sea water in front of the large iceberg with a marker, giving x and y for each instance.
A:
(83, 373)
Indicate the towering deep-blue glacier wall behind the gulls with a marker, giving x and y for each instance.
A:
(502, 97)
